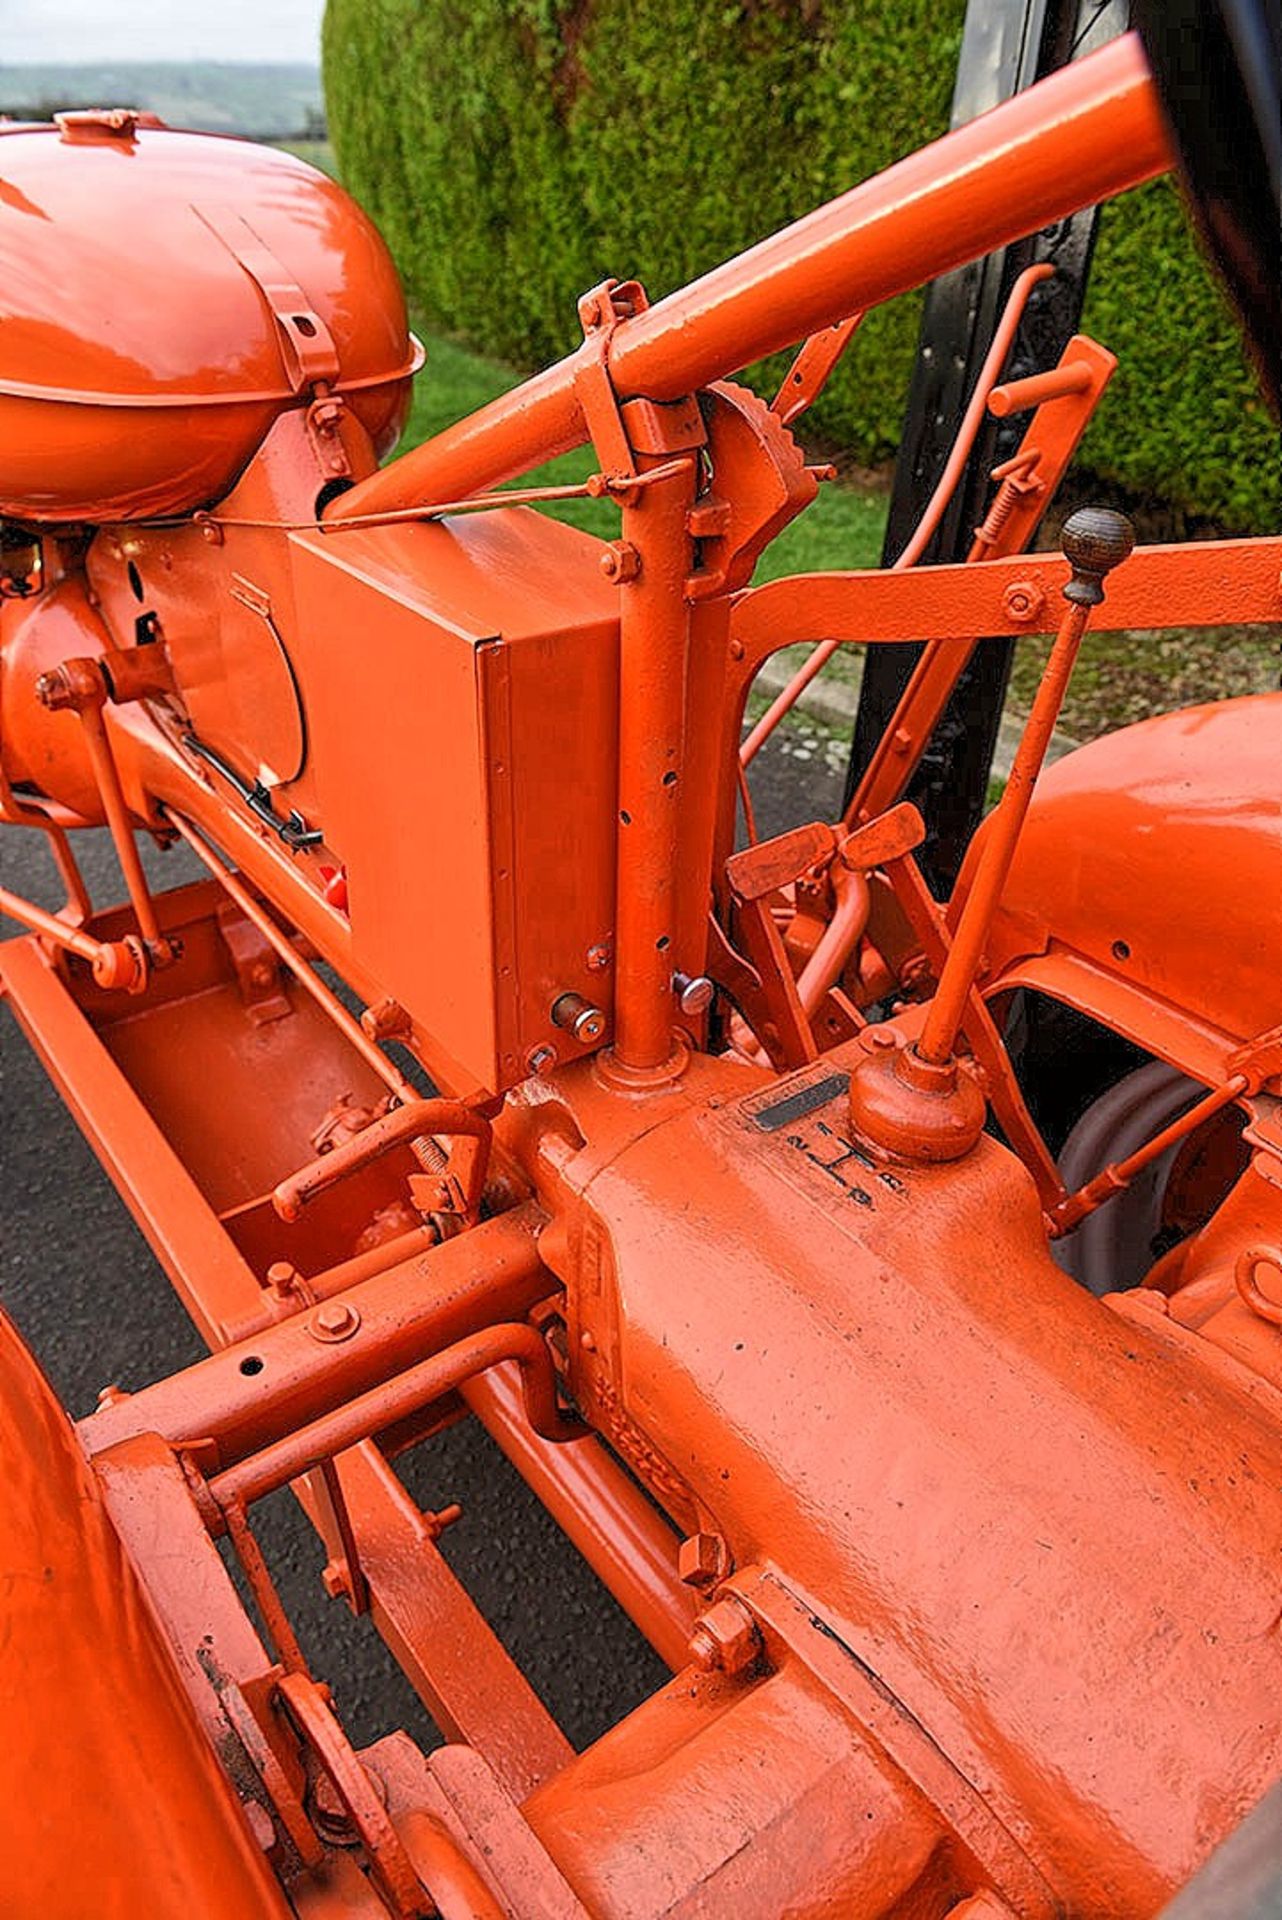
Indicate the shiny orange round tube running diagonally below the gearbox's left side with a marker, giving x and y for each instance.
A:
(609, 1520)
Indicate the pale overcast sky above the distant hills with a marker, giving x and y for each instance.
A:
(158, 30)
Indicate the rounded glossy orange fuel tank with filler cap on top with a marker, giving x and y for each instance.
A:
(164, 297)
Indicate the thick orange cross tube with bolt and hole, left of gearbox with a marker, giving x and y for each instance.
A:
(247, 1397)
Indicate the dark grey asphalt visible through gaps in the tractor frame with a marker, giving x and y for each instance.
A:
(95, 1307)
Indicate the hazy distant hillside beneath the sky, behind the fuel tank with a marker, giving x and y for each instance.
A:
(220, 97)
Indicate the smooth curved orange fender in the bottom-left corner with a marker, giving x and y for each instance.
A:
(108, 1788)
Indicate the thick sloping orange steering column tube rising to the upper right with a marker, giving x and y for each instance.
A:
(1080, 137)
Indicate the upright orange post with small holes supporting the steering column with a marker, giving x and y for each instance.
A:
(652, 763)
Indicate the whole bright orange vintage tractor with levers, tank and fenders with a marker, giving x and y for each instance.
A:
(924, 1418)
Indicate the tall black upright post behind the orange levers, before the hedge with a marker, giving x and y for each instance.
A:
(1007, 45)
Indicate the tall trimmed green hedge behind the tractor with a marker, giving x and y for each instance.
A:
(515, 153)
